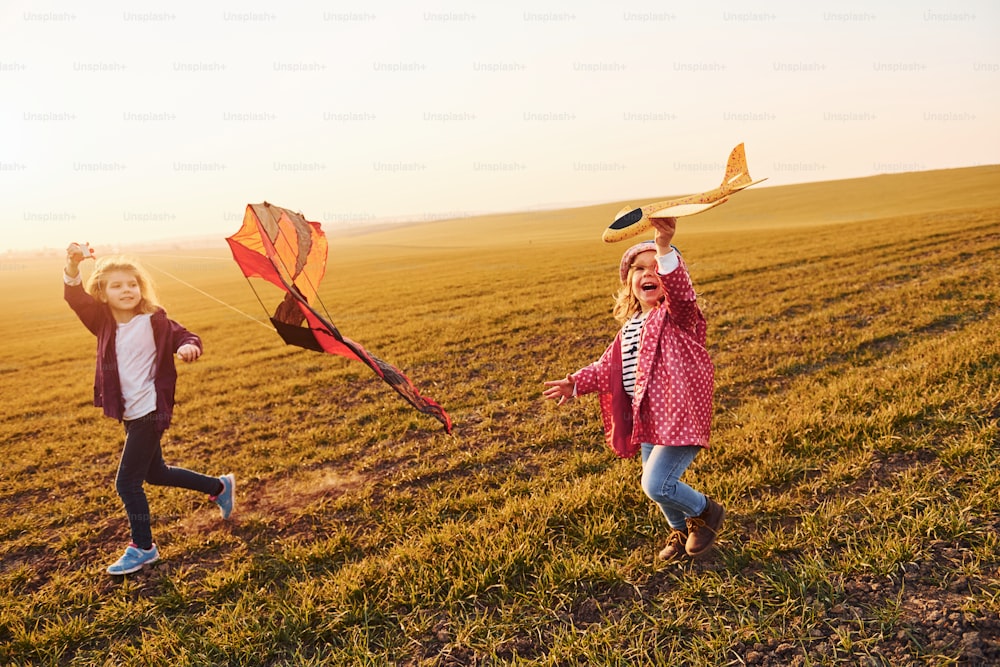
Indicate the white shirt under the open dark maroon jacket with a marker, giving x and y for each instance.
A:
(136, 352)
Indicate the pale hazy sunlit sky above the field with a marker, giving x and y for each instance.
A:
(134, 121)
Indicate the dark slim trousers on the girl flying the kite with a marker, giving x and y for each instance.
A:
(142, 461)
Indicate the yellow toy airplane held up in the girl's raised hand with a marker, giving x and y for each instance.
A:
(633, 221)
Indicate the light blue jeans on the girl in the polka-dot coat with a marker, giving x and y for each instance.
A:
(662, 468)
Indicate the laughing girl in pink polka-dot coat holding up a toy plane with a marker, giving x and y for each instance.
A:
(655, 383)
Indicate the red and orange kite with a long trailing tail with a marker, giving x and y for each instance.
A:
(289, 251)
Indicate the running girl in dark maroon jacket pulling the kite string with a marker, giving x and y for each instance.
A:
(134, 383)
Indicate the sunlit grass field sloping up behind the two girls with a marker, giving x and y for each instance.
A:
(854, 327)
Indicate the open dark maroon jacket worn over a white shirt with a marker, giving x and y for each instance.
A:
(168, 337)
